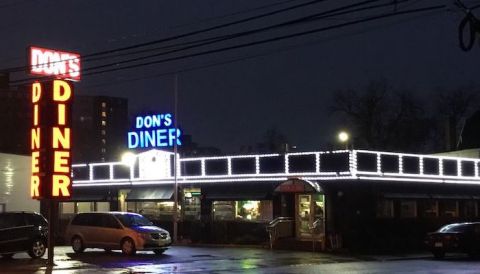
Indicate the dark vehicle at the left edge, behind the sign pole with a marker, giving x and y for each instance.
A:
(23, 231)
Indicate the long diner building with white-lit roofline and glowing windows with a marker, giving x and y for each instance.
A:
(349, 198)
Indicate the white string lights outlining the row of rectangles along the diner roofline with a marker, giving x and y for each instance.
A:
(349, 172)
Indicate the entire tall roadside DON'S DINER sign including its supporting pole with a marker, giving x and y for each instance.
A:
(50, 138)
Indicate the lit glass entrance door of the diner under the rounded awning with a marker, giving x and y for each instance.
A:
(310, 220)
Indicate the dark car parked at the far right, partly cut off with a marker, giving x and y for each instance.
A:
(458, 237)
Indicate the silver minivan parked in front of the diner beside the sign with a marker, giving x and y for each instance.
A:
(126, 231)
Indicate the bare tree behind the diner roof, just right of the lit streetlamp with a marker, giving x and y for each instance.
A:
(382, 118)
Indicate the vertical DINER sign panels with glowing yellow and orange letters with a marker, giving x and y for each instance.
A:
(51, 140)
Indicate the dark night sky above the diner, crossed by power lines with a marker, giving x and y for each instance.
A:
(286, 84)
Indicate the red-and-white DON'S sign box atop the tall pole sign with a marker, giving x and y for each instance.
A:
(48, 62)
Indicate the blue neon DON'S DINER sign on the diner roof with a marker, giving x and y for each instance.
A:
(154, 131)
